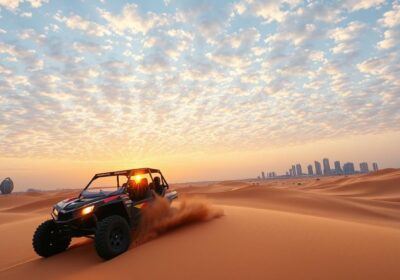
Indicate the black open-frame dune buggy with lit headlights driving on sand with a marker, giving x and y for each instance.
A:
(107, 209)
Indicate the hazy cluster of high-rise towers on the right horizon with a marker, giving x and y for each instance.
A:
(322, 170)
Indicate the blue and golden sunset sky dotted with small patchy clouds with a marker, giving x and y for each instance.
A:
(203, 90)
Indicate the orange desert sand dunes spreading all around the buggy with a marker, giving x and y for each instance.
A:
(331, 228)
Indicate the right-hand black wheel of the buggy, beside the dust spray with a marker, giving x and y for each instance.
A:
(113, 237)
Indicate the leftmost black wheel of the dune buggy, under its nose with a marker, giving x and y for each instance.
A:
(48, 240)
